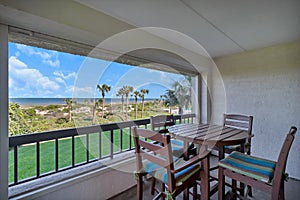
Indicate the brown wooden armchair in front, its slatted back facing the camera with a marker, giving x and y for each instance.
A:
(175, 174)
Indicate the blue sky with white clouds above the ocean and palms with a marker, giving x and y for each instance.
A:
(41, 73)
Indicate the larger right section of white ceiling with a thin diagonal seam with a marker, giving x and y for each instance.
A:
(221, 27)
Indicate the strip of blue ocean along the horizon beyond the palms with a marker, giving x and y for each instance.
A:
(47, 101)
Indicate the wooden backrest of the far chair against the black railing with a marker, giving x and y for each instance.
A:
(160, 123)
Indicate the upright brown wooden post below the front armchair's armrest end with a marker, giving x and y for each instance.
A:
(204, 175)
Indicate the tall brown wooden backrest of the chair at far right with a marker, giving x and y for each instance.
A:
(282, 158)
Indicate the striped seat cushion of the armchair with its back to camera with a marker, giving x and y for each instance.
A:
(160, 173)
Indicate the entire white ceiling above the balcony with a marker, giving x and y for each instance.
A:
(221, 27)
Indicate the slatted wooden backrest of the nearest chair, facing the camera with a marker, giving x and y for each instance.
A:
(159, 153)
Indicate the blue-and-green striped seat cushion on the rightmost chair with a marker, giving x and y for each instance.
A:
(254, 167)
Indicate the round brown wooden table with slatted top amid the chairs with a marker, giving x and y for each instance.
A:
(208, 136)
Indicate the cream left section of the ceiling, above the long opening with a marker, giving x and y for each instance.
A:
(61, 18)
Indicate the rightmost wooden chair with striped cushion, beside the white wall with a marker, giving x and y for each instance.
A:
(257, 172)
